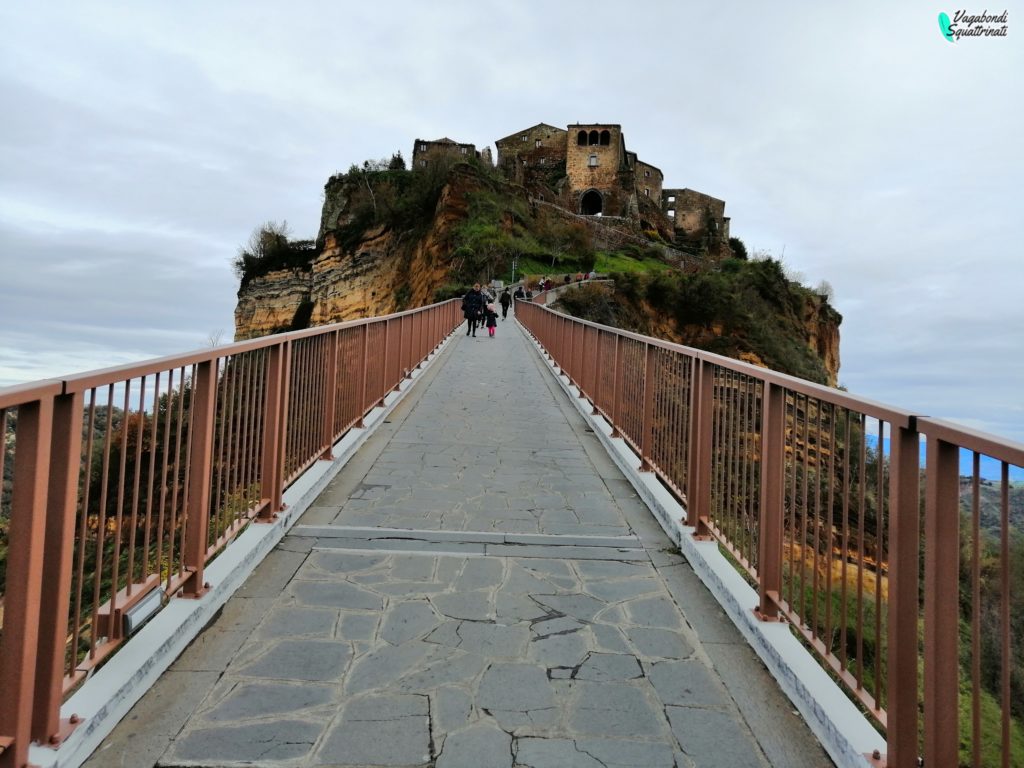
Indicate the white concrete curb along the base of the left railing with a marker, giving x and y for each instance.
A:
(110, 695)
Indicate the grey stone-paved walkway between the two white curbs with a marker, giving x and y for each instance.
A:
(480, 587)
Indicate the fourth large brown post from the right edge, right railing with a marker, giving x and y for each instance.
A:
(699, 468)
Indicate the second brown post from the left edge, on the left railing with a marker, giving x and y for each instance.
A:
(62, 498)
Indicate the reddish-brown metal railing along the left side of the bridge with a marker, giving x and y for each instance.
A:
(120, 486)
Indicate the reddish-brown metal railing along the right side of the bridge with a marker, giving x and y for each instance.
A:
(891, 570)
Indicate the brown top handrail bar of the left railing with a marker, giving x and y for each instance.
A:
(105, 376)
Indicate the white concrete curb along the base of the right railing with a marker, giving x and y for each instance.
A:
(843, 731)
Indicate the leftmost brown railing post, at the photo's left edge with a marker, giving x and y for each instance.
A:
(27, 540)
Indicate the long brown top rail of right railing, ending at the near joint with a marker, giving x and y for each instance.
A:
(894, 416)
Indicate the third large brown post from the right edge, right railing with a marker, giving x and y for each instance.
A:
(772, 507)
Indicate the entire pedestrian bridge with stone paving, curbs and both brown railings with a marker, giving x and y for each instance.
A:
(385, 543)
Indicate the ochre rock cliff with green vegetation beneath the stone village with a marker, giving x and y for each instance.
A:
(395, 240)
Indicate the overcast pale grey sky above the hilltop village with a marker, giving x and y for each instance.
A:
(142, 143)
